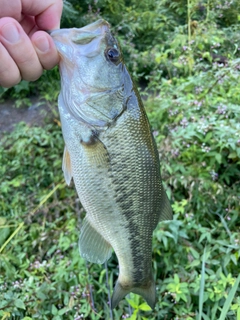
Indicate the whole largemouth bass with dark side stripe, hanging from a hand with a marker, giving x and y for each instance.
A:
(111, 155)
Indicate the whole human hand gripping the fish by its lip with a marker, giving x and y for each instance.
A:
(25, 49)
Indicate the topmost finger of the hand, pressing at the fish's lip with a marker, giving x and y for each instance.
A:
(47, 13)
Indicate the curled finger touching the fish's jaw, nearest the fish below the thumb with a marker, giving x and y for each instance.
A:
(46, 49)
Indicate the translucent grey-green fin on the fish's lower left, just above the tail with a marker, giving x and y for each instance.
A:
(93, 247)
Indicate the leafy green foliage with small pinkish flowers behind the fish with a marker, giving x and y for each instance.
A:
(187, 54)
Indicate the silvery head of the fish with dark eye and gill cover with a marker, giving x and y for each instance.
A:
(91, 68)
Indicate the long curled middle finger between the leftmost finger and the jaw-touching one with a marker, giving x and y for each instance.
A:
(20, 48)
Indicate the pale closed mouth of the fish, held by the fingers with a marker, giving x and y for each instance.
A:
(80, 36)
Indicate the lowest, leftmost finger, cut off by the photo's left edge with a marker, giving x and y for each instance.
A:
(9, 72)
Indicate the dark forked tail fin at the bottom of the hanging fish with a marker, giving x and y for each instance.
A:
(148, 293)
